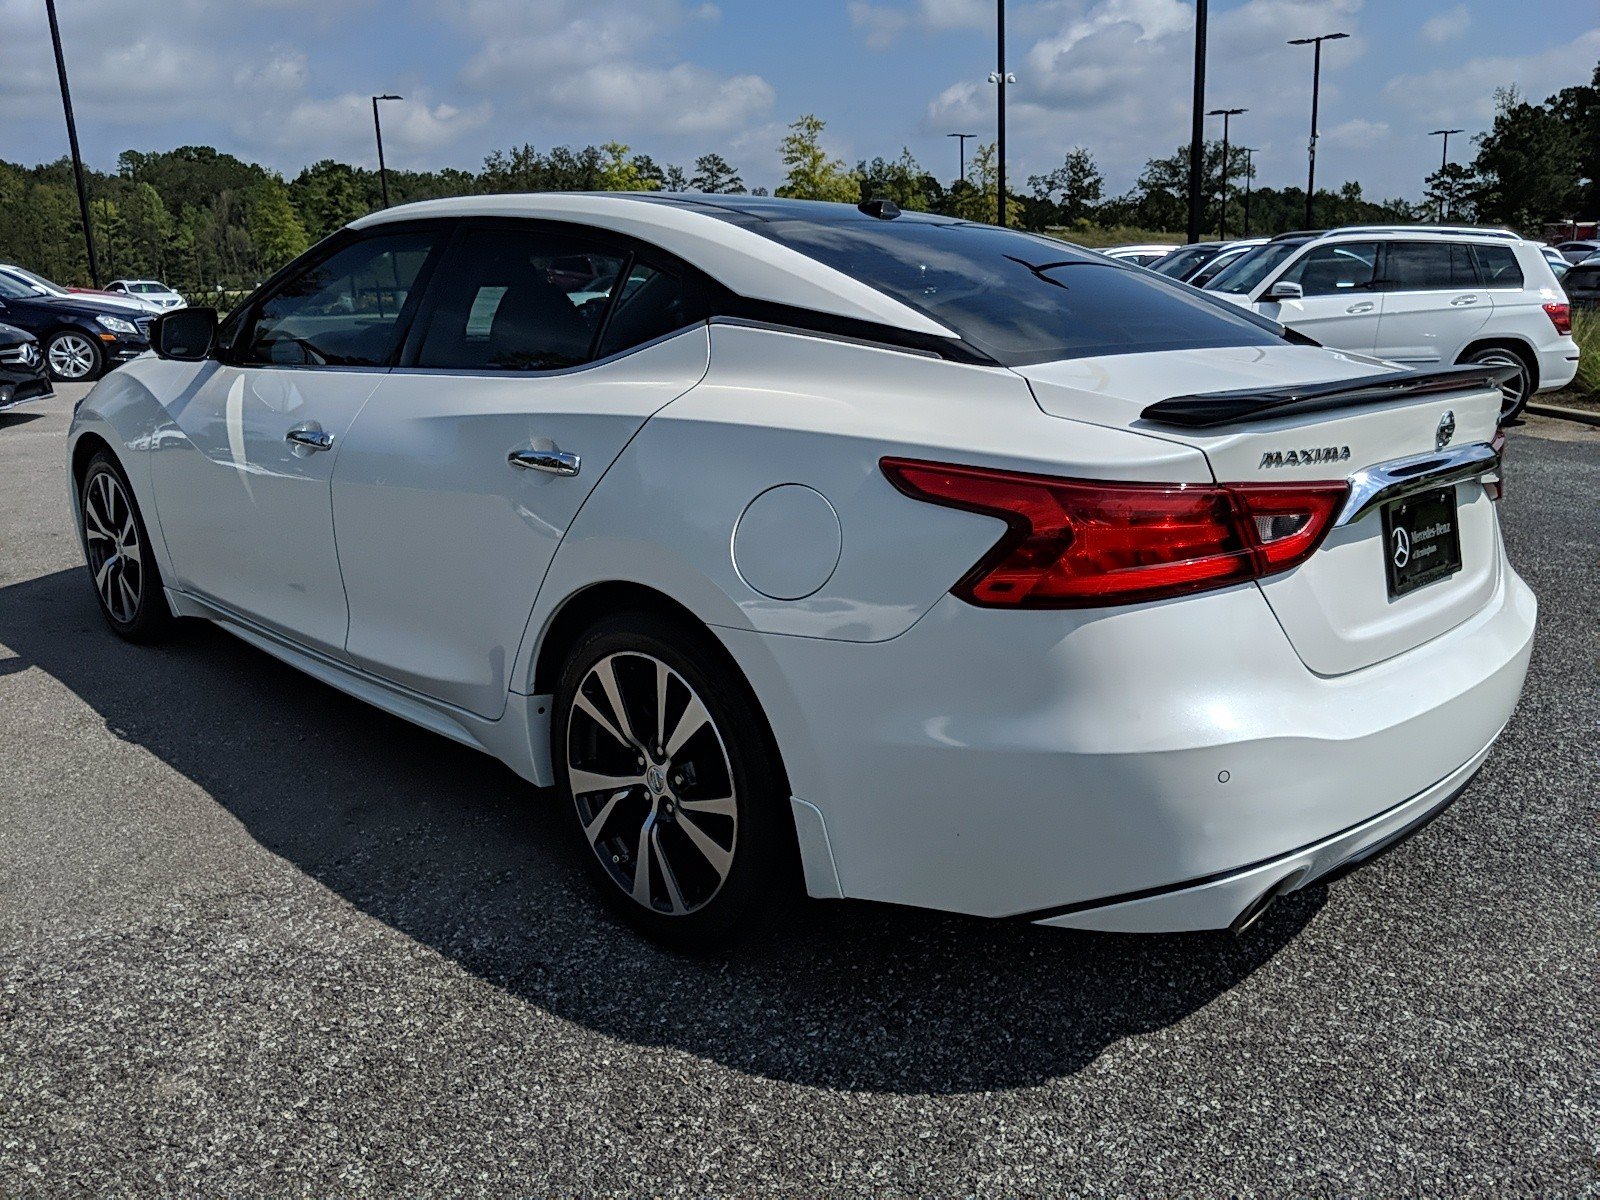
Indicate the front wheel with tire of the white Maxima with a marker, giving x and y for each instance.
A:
(119, 558)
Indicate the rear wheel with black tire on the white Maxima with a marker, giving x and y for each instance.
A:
(678, 796)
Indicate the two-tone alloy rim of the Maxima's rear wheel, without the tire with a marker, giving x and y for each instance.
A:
(654, 785)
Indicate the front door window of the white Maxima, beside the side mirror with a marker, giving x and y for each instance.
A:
(342, 311)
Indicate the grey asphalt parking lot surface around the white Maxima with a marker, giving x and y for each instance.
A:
(257, 937)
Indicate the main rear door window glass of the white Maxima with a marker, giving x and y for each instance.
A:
(519, 300)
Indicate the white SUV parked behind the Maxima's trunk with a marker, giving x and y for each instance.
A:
(1418, 297)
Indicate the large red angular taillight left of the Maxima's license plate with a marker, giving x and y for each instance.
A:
(1087, 543)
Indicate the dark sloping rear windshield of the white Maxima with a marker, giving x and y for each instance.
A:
(1015, 297)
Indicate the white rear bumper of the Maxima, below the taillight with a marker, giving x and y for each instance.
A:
(1054, 764)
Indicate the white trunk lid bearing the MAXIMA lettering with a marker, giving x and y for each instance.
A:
(1335, 609)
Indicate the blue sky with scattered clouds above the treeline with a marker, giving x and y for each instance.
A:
(286, 82)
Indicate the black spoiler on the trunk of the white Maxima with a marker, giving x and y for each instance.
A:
(1263, 404)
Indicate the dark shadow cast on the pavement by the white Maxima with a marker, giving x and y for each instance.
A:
(454, 850)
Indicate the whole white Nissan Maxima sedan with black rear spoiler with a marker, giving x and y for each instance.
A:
(810, 546)
